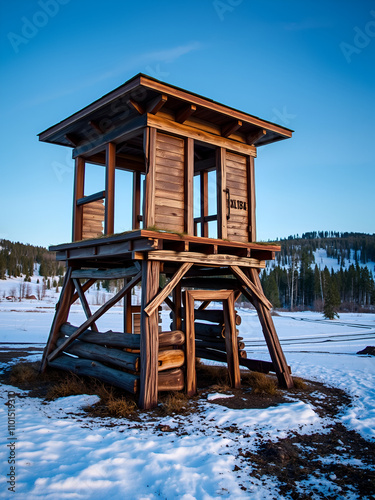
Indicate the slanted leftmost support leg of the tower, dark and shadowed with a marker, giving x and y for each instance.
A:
(61, 315)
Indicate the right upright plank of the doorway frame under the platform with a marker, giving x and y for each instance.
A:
(231, 345)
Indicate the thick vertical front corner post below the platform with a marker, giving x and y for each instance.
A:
(148, 396)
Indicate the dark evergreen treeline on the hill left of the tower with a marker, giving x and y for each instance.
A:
(18, 259)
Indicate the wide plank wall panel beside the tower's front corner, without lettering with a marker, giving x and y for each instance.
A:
(169, 185)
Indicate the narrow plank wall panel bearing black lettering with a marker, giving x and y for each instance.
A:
(237, 182)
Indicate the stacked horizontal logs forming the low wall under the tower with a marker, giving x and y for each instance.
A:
(114, 357)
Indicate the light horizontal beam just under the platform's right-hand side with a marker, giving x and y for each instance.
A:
(201, 258)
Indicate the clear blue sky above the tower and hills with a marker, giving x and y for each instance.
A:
(306, 65)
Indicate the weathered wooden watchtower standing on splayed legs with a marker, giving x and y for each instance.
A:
(192, 218)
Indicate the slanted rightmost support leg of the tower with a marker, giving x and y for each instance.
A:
(278, 359)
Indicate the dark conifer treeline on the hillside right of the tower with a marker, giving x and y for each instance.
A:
(296, 281)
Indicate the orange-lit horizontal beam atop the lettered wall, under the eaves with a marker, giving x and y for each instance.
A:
(199, 135)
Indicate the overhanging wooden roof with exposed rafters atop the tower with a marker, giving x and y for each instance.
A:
(142, 95)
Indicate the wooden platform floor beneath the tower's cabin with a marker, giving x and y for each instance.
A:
(112, 251)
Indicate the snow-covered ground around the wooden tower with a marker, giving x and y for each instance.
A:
(63, 454)
